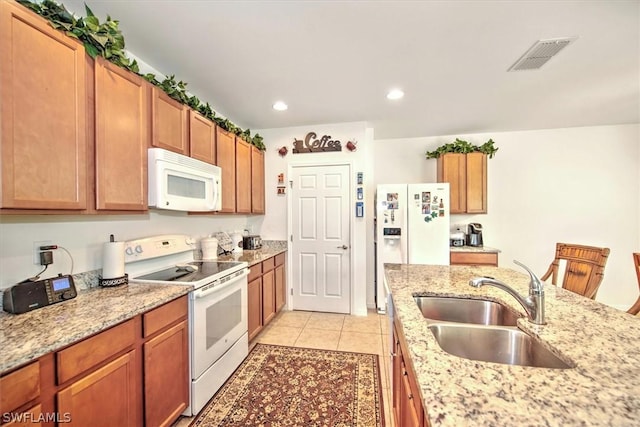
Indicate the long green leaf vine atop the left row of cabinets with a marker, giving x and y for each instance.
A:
(105, 39)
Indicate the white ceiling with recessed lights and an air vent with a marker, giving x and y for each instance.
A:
(334, 61)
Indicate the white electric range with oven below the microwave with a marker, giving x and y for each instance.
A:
(218, 328)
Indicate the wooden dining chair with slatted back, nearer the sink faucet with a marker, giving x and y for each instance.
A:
(584, 268)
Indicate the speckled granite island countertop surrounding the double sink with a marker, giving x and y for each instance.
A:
(602, 343)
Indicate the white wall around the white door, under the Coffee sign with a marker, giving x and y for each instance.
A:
(274, 225)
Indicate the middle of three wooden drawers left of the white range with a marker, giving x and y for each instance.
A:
(92, 351)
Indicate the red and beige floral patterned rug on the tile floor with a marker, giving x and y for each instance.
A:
(289, 386)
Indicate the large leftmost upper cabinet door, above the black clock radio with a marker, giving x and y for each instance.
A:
(43, 114)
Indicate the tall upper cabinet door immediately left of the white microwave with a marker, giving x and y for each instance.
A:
(122, 138)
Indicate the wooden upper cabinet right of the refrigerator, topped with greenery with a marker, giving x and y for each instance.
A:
(467, 177)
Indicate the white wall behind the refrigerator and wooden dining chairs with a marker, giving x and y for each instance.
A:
(576, 185)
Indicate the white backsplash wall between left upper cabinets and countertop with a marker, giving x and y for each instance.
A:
(83, 235)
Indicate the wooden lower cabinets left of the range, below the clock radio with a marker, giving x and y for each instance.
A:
(135, 373)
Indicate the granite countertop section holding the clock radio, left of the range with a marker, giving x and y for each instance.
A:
(27, 336)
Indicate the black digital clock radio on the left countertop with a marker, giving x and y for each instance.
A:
(28, 296)
